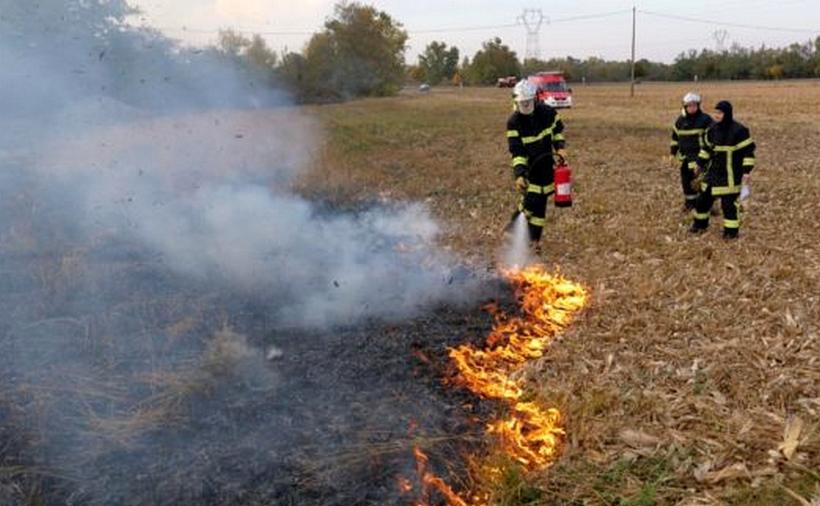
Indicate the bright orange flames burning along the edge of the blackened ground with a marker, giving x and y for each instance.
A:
(531, 434)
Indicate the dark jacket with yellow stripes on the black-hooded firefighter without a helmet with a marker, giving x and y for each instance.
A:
(728, 153)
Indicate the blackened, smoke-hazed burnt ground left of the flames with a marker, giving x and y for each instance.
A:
(122, 383)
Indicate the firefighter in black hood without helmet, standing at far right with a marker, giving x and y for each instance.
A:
(727, 157)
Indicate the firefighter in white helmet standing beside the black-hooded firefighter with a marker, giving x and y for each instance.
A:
(687, 141)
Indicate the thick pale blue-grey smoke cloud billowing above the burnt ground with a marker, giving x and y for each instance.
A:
(118, 118)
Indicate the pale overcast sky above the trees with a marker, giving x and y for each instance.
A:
(600, 28)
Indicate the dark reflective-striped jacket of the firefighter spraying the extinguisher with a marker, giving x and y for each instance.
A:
(532, 139)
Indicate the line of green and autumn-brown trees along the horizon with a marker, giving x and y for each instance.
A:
(360, 52)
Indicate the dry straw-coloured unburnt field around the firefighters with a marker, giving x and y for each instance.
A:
(694, 375)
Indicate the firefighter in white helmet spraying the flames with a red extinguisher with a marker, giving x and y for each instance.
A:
(535, 135)
